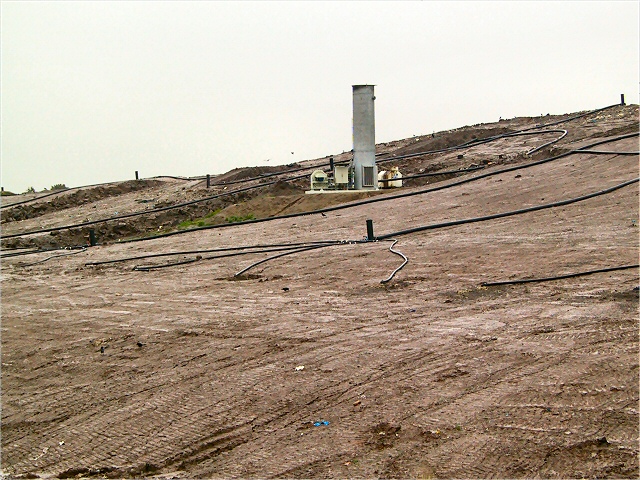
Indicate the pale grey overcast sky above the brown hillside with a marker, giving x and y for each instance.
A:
(93, 91)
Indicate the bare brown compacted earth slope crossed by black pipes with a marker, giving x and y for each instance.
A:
(176, 365)
